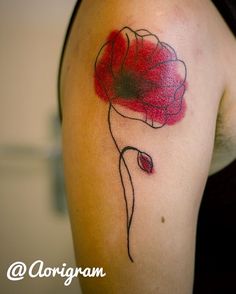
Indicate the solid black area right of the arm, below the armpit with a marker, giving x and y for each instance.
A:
(215, 265)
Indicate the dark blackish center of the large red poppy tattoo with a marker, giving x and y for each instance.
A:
(127, 86)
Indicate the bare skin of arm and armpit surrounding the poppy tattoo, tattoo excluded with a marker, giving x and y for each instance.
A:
(164, 227)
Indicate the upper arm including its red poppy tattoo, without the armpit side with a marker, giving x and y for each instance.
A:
(136, 166)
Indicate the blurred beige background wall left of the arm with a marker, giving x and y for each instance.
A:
(31, 37)
